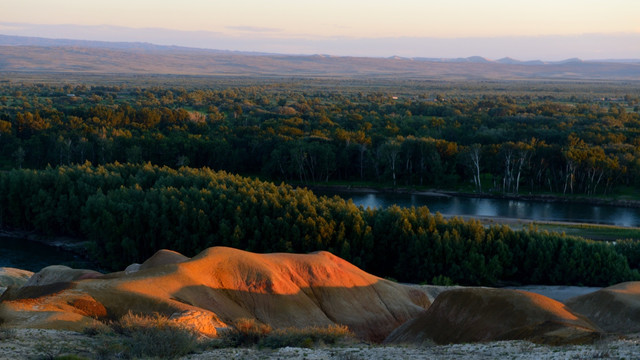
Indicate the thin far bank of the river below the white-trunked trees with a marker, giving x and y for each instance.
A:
(576, 199)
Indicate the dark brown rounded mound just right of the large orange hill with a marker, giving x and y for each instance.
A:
(484, 314)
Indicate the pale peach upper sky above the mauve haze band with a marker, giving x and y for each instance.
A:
(337, 19)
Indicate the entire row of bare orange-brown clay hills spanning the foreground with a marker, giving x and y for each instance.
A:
(222, 285)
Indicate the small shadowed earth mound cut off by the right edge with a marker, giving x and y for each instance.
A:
(614, 309)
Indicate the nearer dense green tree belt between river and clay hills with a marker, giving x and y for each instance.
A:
(130, 211)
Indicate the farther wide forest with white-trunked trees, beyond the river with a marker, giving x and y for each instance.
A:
(561, 138)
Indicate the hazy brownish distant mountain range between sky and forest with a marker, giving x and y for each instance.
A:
(31, 54)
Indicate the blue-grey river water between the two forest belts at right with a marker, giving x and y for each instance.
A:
(489, 207)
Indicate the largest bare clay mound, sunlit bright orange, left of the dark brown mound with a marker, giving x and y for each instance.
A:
(216, 288)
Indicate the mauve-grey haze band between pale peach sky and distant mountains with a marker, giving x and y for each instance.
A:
(436, 48)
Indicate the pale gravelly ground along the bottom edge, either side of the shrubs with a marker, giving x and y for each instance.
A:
(35, 343)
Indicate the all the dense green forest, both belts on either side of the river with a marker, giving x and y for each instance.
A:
(135, 168)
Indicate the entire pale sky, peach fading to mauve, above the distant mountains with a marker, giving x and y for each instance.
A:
(523, 29)
